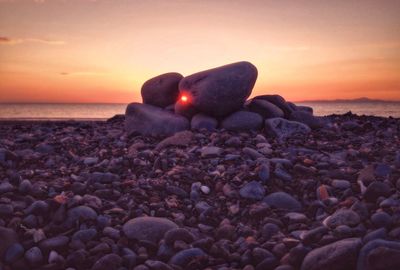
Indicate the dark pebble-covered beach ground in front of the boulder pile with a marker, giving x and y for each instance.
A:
(76, 195)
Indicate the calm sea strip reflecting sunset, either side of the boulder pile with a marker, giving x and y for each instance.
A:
(104, 111)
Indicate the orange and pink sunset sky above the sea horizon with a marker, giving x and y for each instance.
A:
(103, 50)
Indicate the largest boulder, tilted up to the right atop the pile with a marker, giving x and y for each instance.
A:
(220, 91)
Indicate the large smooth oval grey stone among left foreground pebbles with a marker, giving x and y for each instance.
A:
(151, 229)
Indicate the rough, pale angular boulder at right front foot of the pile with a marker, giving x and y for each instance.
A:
(282, 128)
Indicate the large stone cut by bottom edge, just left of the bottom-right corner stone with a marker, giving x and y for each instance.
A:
(340, 255)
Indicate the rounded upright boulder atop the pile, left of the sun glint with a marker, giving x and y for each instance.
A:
(162, 90)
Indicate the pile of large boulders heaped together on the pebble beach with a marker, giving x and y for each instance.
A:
(214, 98)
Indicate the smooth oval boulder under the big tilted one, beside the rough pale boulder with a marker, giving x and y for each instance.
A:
(242, 120)
